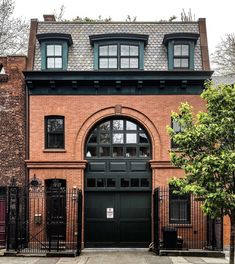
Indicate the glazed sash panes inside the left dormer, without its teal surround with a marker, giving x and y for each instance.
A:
(54, 56)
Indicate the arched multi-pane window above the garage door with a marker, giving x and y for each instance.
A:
(118, 138)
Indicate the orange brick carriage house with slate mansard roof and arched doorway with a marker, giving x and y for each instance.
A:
(100, 97)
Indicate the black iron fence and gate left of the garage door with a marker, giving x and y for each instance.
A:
(42, 220)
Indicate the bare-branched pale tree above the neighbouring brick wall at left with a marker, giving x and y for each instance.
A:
(13, 31)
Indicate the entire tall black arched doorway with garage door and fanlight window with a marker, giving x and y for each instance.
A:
(118, 186)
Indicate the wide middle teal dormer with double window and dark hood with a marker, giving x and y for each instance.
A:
(119, 51)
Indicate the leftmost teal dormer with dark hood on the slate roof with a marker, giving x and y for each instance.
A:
(54, 50)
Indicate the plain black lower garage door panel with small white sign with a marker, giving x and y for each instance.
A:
(117, 219)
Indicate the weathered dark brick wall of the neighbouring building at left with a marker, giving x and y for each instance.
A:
(12, 120)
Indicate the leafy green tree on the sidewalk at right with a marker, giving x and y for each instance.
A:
(205, 151)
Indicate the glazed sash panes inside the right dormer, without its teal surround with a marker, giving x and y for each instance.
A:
(181, 56)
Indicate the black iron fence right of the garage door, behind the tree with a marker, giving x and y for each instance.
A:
(179, 223)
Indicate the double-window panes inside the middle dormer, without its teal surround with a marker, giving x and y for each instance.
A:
(119, 56)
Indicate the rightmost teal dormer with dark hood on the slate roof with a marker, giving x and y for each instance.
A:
(180, 50)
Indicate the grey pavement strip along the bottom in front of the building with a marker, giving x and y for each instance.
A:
(113, 257)
